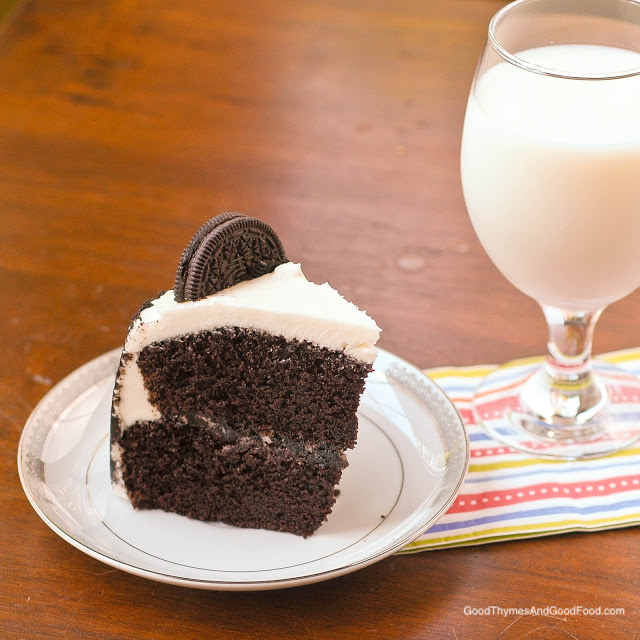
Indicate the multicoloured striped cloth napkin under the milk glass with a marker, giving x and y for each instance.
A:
(509, 494)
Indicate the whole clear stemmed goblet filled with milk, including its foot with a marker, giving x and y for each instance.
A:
(550, 166)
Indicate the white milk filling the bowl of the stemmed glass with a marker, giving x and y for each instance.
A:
(551, 175)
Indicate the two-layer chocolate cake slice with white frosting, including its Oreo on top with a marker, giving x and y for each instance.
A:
(236, 395)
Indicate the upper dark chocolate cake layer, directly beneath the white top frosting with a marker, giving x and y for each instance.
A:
(258, 380)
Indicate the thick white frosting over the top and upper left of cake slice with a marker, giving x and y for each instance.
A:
(283, 302)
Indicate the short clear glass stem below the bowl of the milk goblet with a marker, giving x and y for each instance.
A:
(574, 394)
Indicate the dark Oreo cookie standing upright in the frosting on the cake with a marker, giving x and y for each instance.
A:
(226, 250)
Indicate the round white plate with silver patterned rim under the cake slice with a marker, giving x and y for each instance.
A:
(406, 469)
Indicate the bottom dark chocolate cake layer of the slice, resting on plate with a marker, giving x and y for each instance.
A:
(207, 471)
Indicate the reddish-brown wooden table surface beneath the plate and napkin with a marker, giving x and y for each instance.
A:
(124, 124)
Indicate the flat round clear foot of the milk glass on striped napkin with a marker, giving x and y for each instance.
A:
(500, 406)
